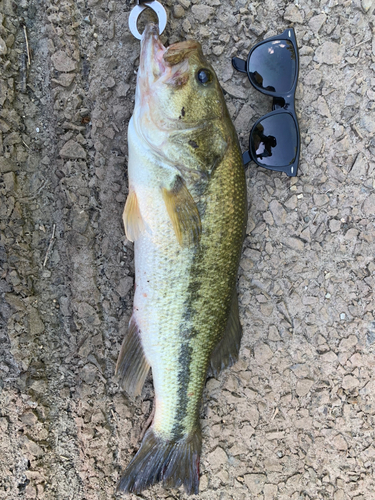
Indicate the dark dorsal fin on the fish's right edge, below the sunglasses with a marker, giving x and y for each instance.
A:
(225, 353)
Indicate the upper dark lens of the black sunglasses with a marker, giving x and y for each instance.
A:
(272, 66)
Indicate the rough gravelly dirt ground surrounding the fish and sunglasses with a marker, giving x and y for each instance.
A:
(295, 417)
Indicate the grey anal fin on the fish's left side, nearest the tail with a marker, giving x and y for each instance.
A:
(132, 366)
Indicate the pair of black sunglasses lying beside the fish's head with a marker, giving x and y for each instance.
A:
(272, 67)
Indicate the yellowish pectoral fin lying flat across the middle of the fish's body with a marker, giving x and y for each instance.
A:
(183, 213)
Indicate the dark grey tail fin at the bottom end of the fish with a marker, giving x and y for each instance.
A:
(173, 463)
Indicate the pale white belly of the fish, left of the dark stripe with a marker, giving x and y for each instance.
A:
(161, 276)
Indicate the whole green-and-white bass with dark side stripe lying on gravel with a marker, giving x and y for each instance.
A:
(186, 212)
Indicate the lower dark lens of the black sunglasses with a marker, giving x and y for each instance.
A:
(274, 141)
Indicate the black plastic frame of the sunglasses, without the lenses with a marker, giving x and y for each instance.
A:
(283, 102)
